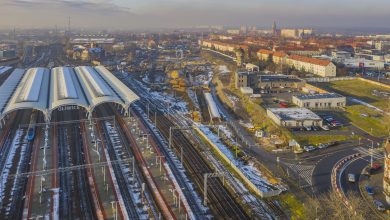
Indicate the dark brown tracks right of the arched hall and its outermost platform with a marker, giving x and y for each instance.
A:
(221, 202)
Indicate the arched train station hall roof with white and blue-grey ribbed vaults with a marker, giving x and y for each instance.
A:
(48, 90)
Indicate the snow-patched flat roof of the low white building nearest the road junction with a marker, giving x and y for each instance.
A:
(294, 114)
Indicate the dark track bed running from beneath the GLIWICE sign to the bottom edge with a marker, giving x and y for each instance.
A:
(75, 197)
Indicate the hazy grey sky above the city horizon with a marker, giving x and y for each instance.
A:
(130, 14)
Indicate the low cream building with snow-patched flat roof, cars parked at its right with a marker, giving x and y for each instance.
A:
(294, 117)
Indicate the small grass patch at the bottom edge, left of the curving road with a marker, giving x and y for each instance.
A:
(290, 202)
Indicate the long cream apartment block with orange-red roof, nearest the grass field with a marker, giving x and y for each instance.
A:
(324, 68)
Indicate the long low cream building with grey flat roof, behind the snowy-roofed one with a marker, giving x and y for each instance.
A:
(320, 101)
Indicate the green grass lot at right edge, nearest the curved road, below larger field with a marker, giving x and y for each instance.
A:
(380, 124)
